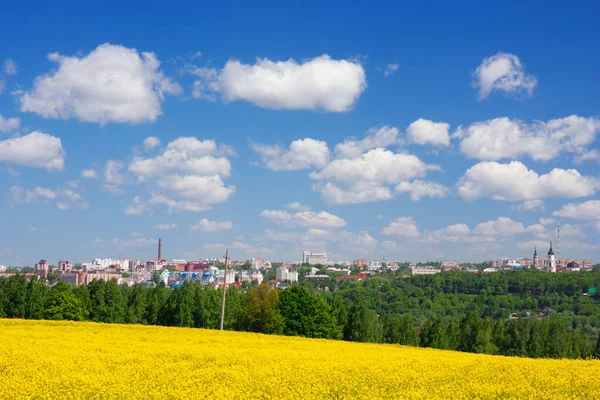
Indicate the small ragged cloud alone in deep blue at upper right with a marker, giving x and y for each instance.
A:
(503, 72)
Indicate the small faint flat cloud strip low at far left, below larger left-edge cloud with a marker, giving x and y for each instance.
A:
(64, 198)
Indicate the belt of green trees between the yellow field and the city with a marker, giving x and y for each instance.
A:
(519, 313)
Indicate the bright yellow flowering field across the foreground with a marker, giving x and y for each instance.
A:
(51, 360)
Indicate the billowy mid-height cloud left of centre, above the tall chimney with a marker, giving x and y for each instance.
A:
(188, 175)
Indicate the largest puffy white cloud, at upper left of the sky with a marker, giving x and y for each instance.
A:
(111, 84)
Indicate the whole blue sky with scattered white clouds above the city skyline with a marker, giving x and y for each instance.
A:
(413, 131)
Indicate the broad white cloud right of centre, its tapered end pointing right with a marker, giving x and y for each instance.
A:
(368, 178)
